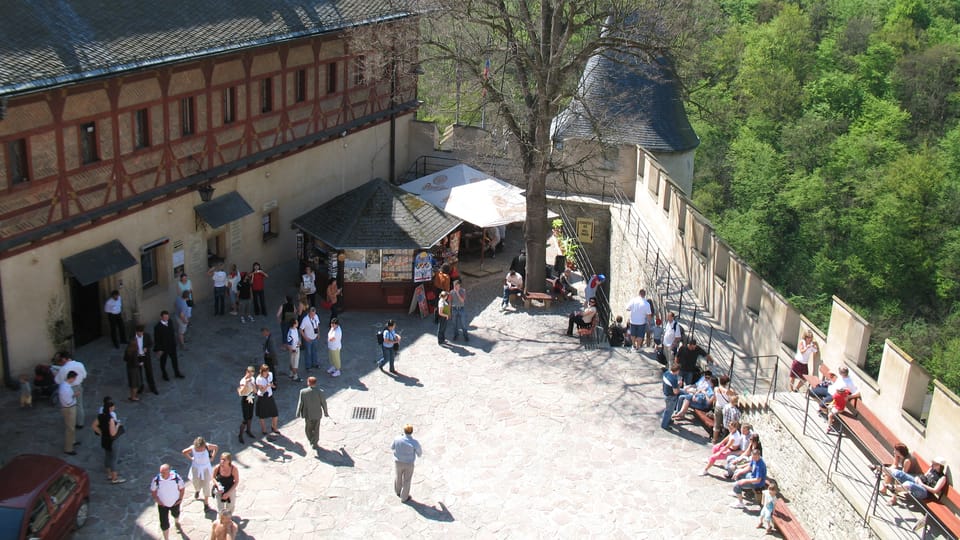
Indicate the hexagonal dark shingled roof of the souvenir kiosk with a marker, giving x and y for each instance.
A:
(377, 215)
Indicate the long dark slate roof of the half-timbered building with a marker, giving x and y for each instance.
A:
(46, 43)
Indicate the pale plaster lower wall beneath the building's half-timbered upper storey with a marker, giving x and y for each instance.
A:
(297, 183)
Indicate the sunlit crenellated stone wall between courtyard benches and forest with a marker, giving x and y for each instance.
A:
(762, 321)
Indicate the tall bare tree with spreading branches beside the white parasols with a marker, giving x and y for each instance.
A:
(528, 57)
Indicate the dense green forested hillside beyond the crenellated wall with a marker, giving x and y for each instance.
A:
(830, 159)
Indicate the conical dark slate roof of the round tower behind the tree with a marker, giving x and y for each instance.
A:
(629, 102)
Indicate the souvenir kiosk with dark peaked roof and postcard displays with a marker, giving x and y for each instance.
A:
(378, 241)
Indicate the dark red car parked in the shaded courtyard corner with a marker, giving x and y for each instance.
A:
(42, 497)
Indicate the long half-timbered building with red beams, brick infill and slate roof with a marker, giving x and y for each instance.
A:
(159, 137)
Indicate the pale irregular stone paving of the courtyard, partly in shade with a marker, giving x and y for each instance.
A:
(525, 433)
